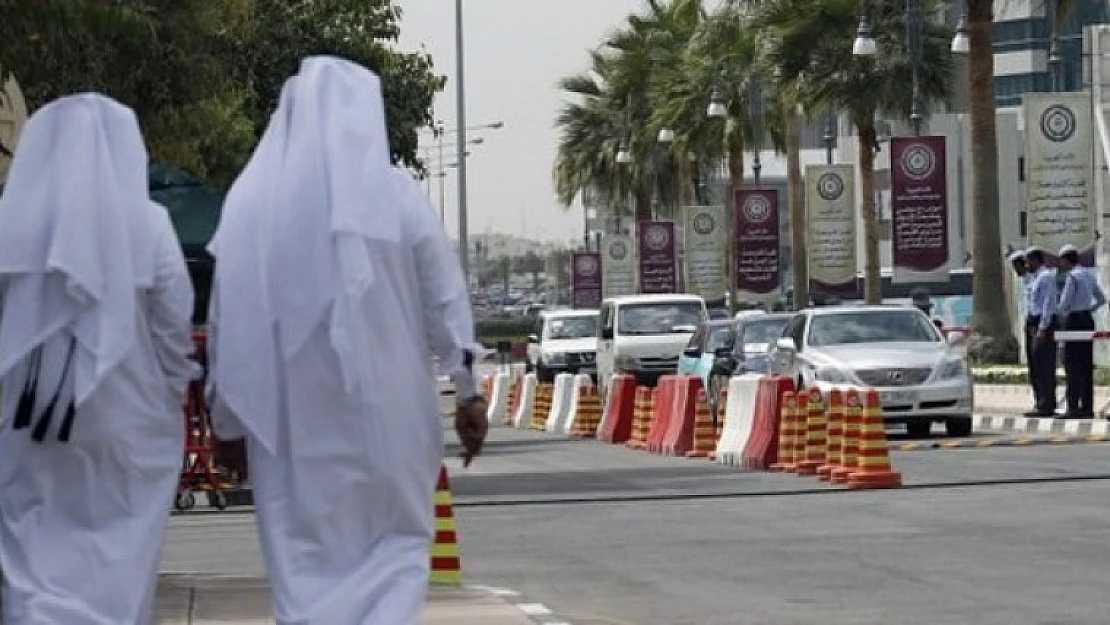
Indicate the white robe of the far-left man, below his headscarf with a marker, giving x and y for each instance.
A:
(83, 523)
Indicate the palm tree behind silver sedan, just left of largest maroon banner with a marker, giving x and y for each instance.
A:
(812, 44)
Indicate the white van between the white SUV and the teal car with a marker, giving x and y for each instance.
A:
(645, 335)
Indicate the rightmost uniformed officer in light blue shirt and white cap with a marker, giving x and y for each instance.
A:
(1082, 296)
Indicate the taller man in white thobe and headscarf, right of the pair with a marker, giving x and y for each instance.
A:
(335, 287)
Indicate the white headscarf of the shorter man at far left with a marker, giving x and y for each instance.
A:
(74, 239)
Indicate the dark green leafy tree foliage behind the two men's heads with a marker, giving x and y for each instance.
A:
(205, 75)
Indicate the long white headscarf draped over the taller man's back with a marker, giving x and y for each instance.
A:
(291, 248)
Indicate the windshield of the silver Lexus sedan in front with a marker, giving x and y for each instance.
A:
(873, 327)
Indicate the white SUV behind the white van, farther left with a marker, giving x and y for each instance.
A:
(566, 342)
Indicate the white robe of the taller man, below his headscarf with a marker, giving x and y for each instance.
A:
(346, 506)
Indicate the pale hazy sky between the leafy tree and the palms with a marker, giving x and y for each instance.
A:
(516, 54)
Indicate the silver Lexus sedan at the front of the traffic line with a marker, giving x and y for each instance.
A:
(921, 377)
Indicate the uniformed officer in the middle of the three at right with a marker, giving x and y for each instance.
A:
(1041, 337)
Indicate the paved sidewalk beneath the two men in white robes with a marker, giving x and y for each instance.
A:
(208, 600)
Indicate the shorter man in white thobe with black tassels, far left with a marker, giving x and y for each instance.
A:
(95, 337)
